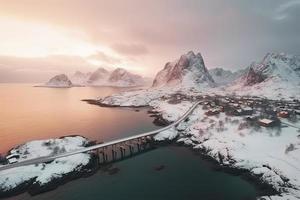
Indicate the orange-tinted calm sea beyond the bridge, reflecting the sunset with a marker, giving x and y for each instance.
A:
(28, 113)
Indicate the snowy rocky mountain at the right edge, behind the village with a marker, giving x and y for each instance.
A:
(277, 75)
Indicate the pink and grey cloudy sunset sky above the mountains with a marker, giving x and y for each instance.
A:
(39, 39)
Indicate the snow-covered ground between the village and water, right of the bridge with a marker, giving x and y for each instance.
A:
(270, 154)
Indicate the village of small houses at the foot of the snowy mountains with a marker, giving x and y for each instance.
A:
(259, 111)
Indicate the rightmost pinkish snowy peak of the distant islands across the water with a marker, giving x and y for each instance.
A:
(121, 77)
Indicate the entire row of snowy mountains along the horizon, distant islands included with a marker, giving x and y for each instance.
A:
(275, 75)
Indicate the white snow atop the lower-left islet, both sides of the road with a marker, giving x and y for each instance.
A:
(43, 173)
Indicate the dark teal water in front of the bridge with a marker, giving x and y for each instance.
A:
(185, 176)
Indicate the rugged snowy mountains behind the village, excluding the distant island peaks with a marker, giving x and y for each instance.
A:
(276, 75)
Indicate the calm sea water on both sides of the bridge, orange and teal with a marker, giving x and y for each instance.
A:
(34, 113)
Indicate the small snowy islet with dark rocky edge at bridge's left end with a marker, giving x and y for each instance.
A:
(44, 177)
